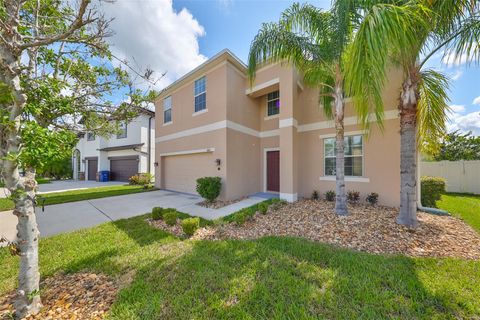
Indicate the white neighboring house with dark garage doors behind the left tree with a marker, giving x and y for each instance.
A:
(125, 154)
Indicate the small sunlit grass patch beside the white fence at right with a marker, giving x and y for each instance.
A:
(465, 206)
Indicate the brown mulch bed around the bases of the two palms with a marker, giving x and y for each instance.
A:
(367, 228)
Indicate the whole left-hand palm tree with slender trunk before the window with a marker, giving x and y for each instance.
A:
(316, 43)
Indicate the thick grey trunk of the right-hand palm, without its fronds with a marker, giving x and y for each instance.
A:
(408, 151)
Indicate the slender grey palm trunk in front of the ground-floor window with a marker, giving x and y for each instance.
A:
(341, 197)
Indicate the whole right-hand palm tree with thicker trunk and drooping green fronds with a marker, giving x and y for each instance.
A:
(407, 34)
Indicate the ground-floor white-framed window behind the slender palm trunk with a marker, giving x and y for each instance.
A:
(353, 156)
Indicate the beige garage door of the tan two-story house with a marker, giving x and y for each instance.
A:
(181, 172)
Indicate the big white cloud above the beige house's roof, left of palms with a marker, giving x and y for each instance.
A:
(152, 34)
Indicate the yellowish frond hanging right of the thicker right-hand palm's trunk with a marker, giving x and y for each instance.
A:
(432, 111)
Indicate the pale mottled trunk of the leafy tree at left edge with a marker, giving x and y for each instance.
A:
(23, 193)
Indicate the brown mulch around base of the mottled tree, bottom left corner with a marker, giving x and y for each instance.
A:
(76, 297)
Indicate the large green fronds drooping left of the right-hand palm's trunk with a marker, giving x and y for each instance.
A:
(386, 30)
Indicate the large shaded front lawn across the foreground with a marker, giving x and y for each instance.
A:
(269, 278)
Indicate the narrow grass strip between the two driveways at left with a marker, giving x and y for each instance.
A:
(78, 195)
